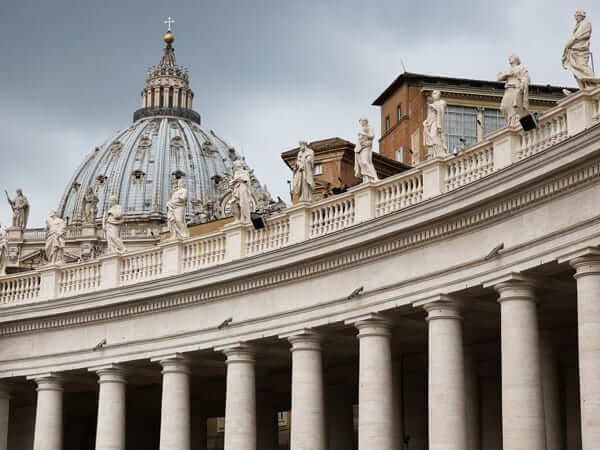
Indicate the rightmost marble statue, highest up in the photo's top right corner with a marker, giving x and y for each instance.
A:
(576, 55)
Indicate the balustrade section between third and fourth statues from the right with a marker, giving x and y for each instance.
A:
(396, 193)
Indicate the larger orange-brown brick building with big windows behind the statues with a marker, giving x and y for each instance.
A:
(473, 111)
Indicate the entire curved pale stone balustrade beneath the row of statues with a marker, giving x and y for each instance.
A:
(305, 221)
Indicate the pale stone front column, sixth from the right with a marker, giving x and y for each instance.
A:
(240, 401)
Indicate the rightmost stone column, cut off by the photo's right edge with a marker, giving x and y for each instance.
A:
(588, 316)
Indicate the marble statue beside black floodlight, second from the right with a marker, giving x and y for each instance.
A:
(515, 103)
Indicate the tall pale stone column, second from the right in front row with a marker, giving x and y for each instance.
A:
(523, 422)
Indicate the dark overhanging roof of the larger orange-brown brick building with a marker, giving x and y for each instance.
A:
(417, 79)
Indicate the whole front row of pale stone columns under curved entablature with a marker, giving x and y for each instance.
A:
(524, 412)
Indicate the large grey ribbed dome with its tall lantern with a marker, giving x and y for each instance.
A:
(165, 143)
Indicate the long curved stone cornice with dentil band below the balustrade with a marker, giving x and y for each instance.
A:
(385, 233)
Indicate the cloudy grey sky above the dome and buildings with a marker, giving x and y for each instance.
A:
(265, 73)
